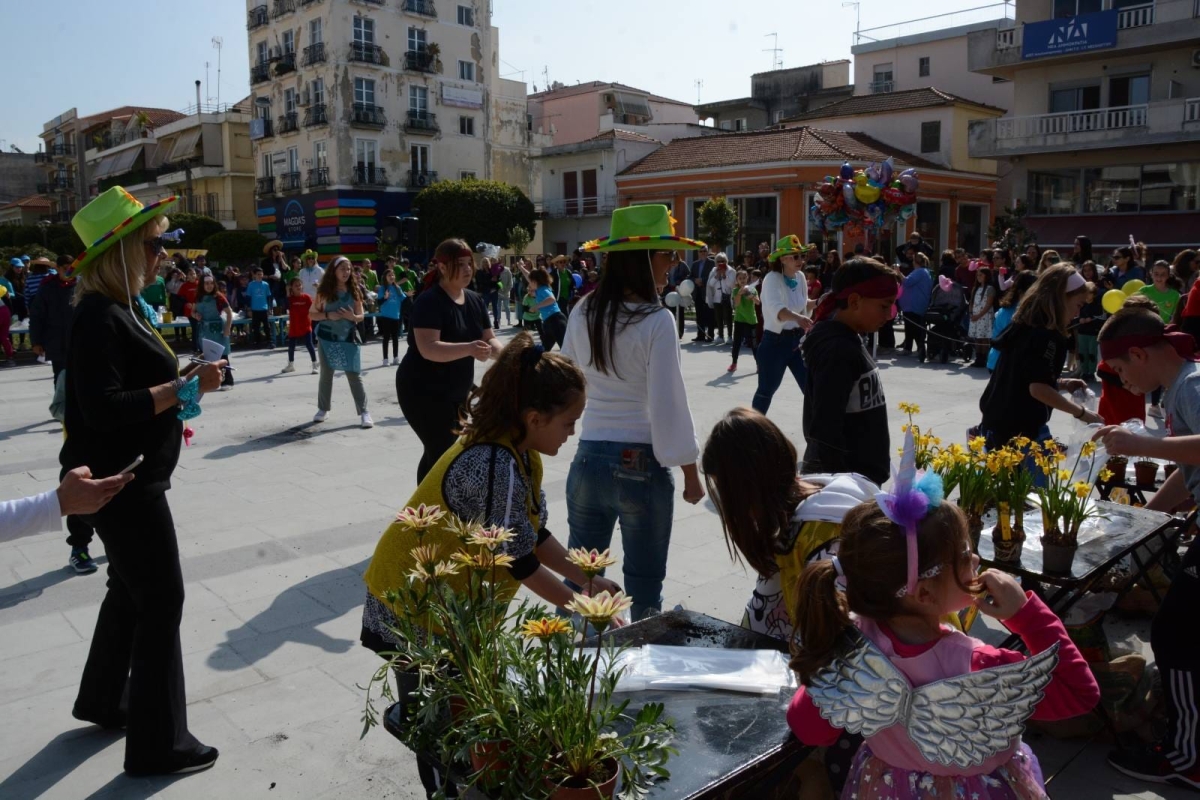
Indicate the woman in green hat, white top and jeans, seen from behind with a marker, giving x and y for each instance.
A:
(637, 425)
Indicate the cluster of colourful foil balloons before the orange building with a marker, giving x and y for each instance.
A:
(865, 200)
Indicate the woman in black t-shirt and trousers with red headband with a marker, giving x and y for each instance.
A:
(449, 328)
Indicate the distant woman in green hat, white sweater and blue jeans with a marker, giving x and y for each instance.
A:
(785, 309)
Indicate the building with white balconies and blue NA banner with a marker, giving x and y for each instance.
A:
(1102, 136)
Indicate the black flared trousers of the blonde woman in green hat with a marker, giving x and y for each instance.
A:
(136, 646)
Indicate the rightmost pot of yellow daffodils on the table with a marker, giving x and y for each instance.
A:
(1066, 504)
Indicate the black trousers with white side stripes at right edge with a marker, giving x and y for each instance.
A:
(1178, 655)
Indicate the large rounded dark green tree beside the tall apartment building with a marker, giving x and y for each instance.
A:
(473, 210)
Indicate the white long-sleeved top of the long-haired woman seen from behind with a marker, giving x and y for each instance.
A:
(649, 402)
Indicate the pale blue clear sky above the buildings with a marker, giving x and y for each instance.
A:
(93, 57)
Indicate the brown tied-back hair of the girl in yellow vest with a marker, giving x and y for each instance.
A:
(524, 378)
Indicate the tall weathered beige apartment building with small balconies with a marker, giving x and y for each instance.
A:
(359, 105)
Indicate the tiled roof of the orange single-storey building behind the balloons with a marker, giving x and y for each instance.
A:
(765, 147)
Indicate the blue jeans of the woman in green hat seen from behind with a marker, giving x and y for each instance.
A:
(619, 482)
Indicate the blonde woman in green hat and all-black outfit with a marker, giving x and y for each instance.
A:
(122, 402)
